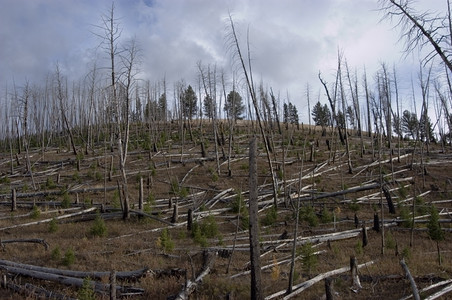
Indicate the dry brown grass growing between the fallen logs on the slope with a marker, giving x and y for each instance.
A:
(131, 244)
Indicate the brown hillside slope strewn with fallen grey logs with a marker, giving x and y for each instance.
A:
(68, 214)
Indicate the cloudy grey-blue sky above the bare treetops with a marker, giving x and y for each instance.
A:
(291, 40)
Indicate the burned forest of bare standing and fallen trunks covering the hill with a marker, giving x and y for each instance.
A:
(114, 187)
